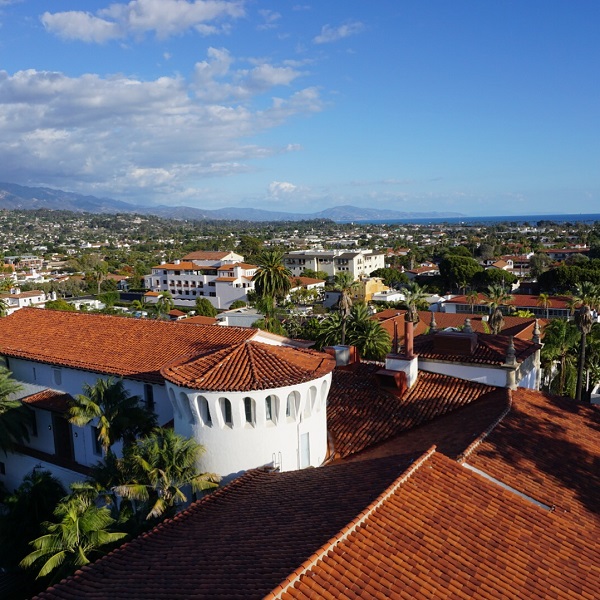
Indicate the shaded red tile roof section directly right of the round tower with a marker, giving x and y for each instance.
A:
(361, 414)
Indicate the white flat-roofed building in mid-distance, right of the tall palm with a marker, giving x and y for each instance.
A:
(359, 263)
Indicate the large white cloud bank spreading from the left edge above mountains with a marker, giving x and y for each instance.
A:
(120, 135)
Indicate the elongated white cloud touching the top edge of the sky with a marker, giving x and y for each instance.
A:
(163, 17)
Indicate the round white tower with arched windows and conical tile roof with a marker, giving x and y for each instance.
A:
(253, 404)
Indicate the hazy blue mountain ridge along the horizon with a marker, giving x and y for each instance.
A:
(19, 197)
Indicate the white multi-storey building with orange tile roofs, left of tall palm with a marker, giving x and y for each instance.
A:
(221, 277)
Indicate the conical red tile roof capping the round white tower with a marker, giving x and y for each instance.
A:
(248, 366)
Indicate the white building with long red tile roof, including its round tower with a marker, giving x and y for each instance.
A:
(54, 353)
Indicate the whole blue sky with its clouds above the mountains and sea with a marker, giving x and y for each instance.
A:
(470, 106)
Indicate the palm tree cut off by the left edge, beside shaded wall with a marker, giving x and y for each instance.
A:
(15, 417)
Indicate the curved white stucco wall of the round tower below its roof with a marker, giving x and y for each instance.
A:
(231, 449)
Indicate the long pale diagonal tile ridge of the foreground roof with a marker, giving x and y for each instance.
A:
(349, 529)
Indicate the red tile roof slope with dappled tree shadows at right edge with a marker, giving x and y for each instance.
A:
(549, 448)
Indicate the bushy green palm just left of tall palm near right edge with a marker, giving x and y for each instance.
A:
(560, 341)
